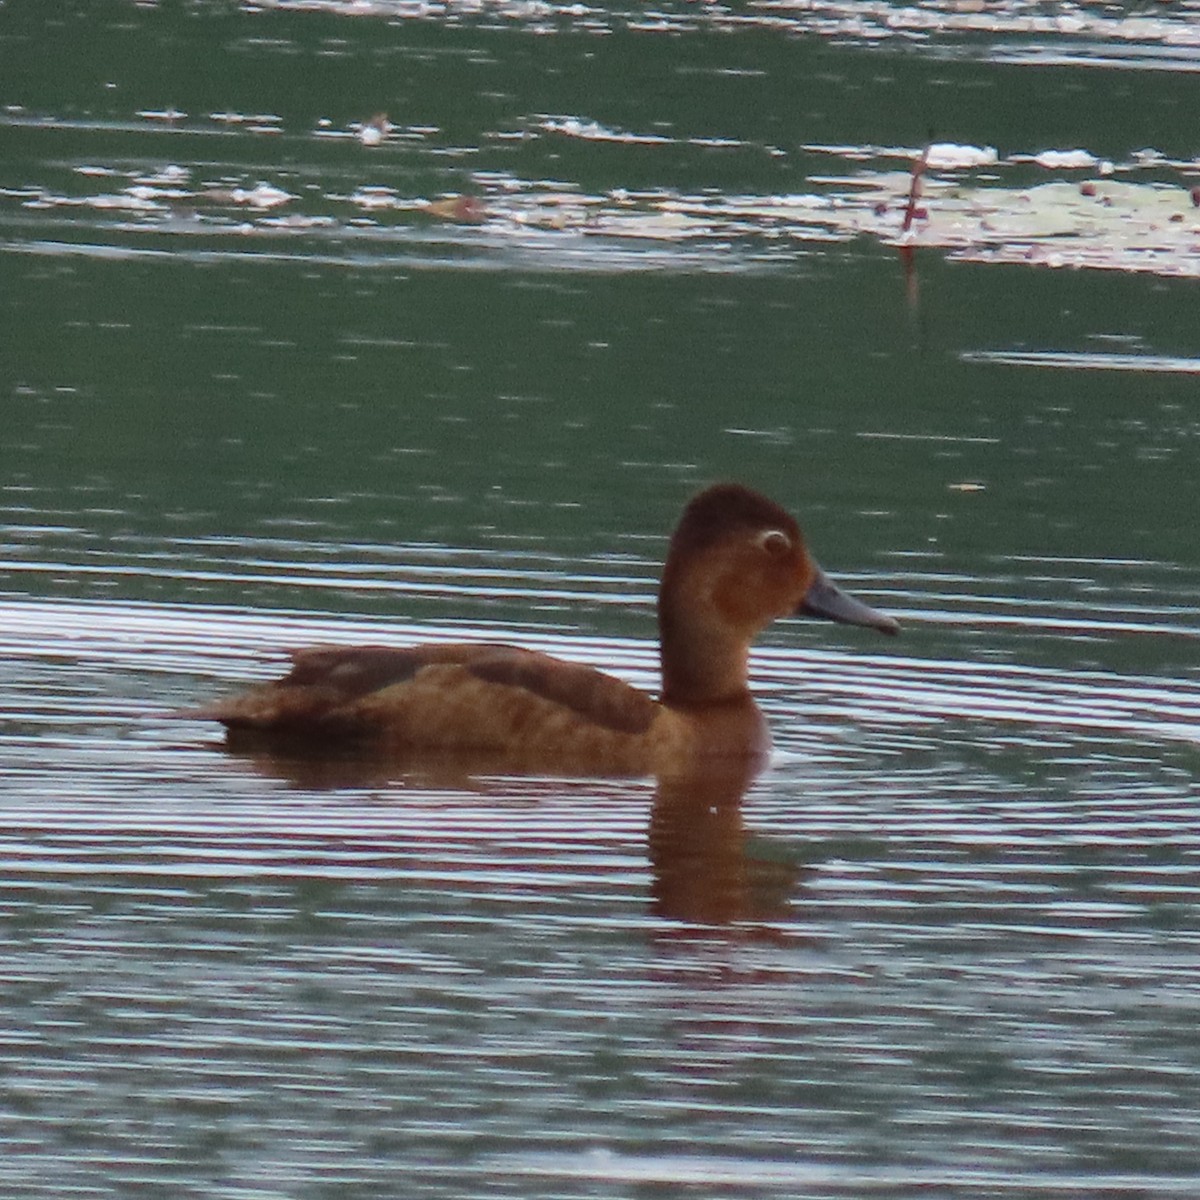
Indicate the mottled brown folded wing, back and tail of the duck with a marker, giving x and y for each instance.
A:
(359, 689)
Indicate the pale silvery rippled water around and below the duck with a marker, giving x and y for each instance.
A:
(964, 931)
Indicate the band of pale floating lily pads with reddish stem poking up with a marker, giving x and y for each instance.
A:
(1043, 207)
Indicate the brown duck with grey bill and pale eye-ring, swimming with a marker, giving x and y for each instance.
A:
(736, 563)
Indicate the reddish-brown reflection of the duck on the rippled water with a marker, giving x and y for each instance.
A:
(706, 868)
